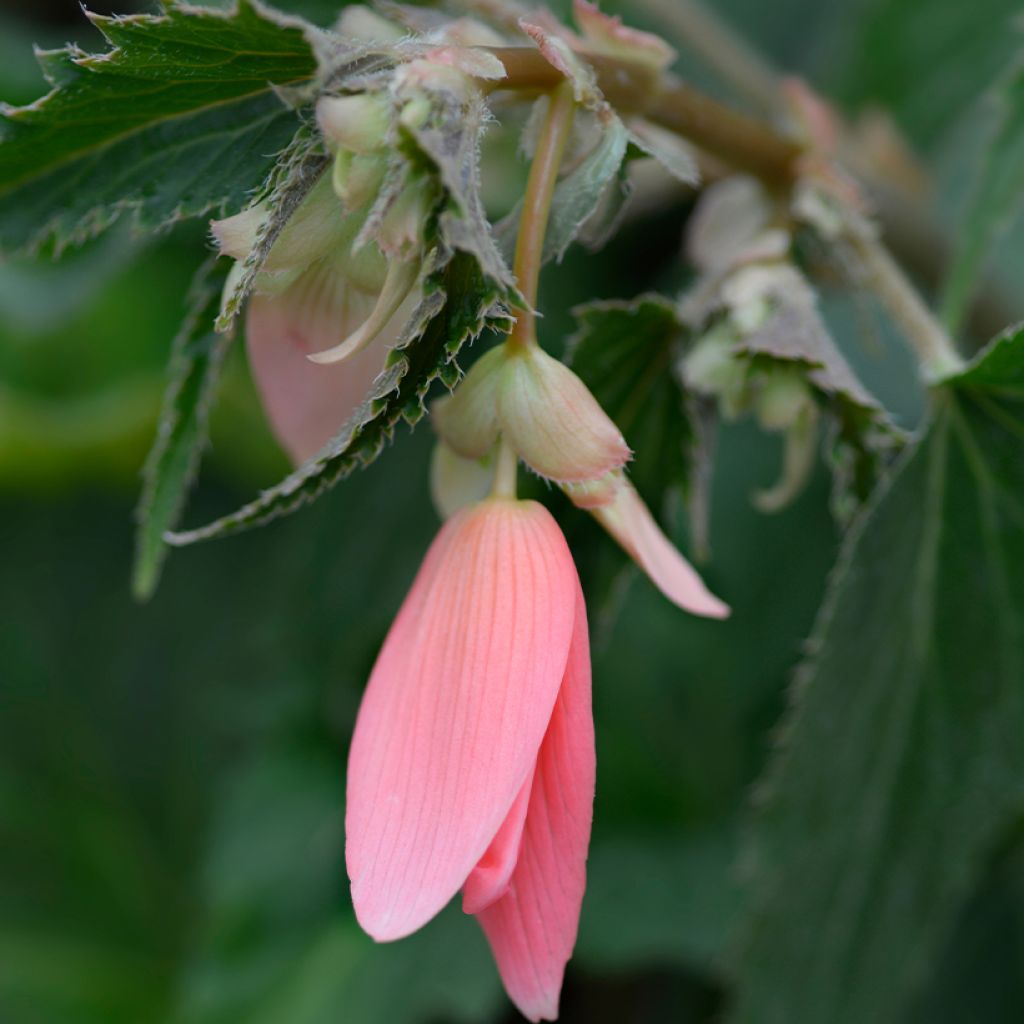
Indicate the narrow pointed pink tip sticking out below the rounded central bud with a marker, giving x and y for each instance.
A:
(630, 523)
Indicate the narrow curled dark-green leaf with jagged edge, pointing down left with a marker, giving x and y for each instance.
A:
(458, 306)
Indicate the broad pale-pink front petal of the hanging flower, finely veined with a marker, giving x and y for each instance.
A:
(456, 710)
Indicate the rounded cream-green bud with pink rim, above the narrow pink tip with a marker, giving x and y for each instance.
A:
(553, 422)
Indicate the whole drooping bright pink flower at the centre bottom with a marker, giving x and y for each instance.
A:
(473, 763)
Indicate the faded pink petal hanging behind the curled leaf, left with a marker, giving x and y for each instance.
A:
(307, 404)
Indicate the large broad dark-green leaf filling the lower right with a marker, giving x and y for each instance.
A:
(903, 765)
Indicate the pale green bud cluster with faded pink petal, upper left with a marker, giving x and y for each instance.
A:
(343, 277)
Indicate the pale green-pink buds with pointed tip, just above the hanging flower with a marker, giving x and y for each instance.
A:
(546, 415)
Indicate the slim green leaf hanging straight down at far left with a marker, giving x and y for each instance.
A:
(196, 362)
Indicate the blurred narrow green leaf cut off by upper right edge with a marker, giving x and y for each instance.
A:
(996, 197)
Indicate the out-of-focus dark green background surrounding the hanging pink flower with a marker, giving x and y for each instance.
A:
(172, 776)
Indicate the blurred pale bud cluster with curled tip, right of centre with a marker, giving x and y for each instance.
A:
(746, 280)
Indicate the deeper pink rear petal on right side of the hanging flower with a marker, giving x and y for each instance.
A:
(533, 929)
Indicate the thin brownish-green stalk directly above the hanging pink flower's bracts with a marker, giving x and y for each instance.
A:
(537, 206)
